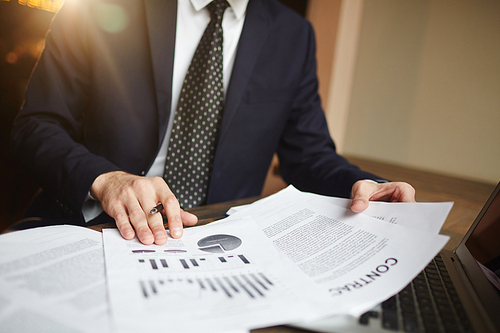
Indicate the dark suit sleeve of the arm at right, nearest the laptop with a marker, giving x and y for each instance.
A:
(307, 154)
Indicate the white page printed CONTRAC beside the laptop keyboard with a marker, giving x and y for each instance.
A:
(356, 259)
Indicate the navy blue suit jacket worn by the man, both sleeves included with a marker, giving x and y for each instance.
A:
(100, 95)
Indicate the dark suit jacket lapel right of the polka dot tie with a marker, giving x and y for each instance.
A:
(252, 39)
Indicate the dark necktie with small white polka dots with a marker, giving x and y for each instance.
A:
(199, 111)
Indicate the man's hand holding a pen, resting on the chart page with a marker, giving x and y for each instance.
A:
(129, 198)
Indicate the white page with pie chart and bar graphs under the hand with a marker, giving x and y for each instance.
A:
(219, 277)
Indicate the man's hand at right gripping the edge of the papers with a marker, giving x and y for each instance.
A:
(364, 191)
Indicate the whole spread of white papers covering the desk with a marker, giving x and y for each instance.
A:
(288, 258)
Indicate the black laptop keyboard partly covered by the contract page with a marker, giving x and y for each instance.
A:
(429, 303)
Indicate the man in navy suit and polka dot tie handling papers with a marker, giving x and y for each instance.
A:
(136, 103)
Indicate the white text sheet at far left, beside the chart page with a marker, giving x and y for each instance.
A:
(52, 280)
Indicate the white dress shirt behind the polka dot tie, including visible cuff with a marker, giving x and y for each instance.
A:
(192, 19)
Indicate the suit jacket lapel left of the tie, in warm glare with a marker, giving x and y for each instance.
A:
(161, 18)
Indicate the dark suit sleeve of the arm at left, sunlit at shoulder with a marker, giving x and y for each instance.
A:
(48, 133)
